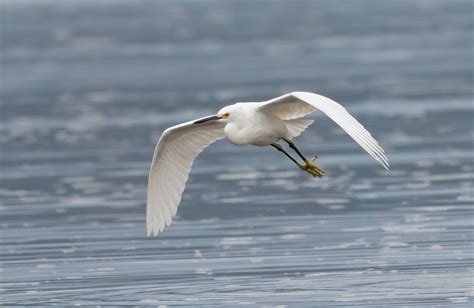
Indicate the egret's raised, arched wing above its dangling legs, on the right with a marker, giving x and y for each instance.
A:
(298, 104)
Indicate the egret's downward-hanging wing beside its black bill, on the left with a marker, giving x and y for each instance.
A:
(174, 155)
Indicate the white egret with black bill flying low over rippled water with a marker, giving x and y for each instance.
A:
(256, 123)
